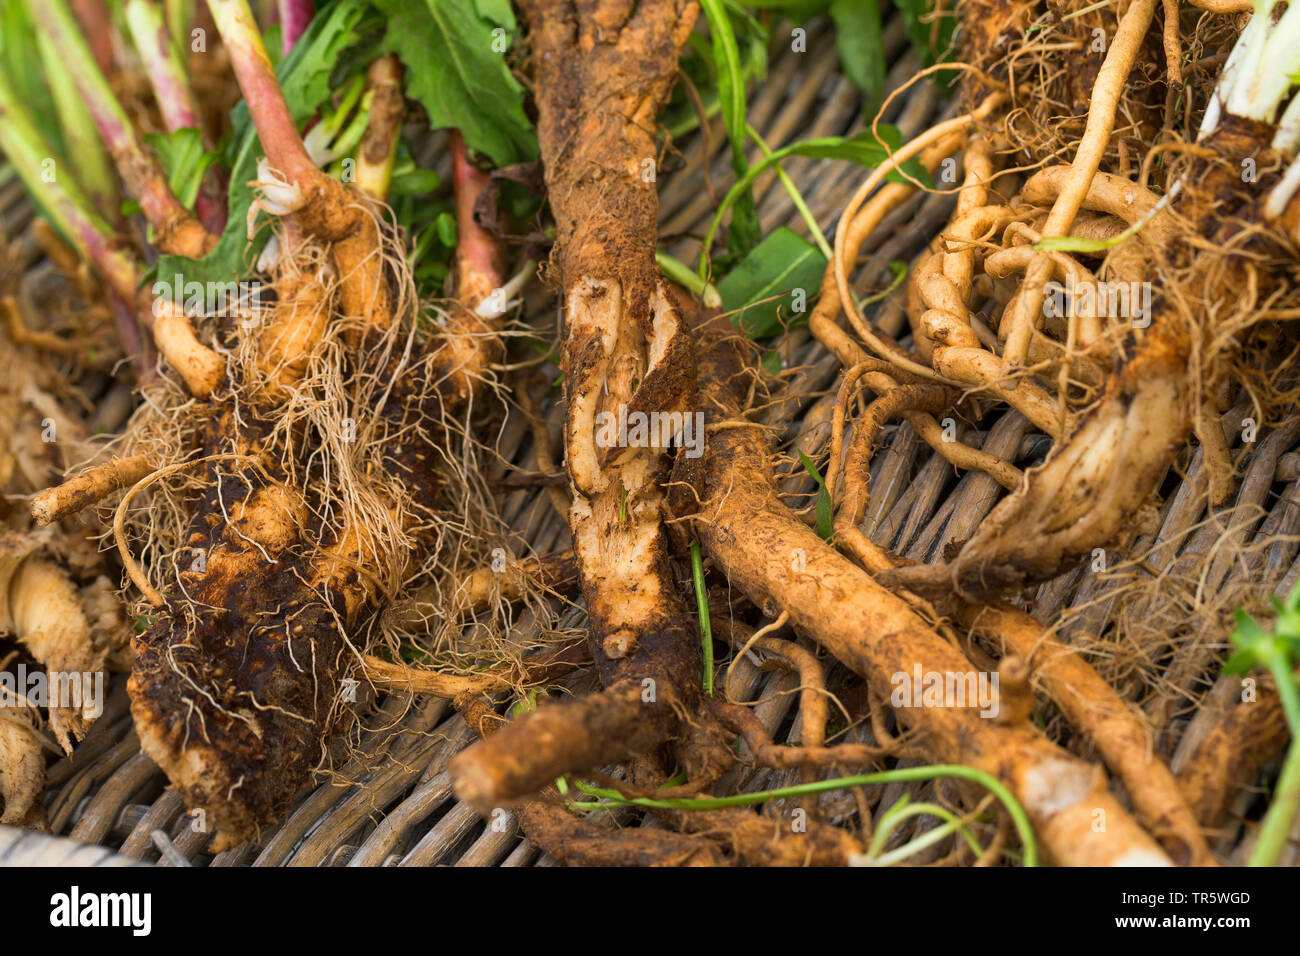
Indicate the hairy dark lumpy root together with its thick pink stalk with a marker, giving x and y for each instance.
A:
(311, 496)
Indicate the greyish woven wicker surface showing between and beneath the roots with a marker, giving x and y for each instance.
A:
(396, 807)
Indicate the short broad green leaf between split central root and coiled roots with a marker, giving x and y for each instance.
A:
(759, 289)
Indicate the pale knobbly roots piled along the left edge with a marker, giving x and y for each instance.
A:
(62, 618)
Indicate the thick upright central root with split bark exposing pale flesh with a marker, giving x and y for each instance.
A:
(604, 72)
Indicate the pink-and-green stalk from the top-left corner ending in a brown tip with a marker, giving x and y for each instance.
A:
(177, 231)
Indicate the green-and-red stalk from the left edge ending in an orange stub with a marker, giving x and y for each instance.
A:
(93, 239)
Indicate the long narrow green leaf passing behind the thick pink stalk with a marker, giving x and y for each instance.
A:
(306, 80)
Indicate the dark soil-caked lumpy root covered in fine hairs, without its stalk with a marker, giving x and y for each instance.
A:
(240, 685)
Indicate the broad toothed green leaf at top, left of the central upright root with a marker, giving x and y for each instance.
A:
(456, 73)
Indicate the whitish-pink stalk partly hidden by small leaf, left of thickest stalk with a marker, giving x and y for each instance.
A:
(166, 70)
